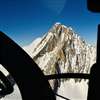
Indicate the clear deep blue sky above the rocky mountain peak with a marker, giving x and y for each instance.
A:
(25, 20)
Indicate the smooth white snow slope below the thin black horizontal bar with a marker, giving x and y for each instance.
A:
(73, 91)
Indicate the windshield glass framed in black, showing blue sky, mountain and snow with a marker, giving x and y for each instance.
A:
(59, 35)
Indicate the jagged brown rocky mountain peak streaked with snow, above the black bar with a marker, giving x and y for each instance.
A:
(61, 50)
